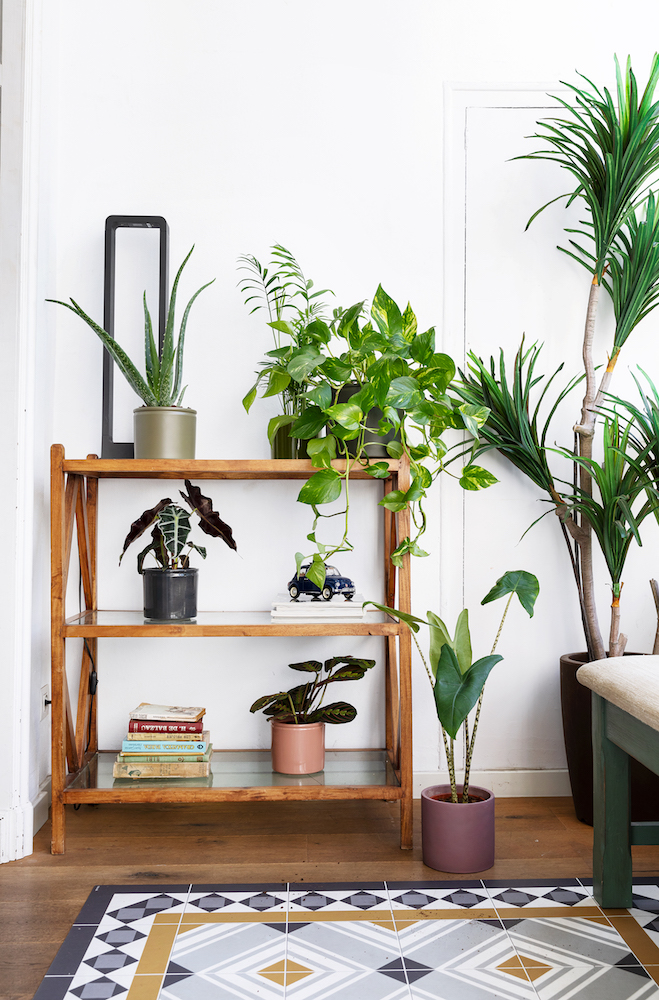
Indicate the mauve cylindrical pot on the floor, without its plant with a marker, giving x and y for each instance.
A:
(457, 837)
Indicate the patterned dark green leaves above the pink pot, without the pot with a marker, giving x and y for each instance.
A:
(304, 703)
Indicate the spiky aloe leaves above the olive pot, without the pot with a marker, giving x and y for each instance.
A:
(162, 383)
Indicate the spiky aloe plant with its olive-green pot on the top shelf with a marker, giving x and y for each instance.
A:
(163, 427)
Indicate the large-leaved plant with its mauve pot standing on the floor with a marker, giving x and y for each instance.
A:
(457, 820)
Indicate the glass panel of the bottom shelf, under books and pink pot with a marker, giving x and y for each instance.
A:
(250, 769)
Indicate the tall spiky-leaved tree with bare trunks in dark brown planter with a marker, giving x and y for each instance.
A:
(610, 148)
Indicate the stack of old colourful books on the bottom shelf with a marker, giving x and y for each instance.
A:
(165, 741)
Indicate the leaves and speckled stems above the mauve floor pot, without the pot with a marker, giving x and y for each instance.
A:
(456, 679)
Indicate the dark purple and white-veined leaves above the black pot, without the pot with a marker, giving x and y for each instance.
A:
(170, 543)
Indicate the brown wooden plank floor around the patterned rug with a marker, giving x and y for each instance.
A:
(249, 842)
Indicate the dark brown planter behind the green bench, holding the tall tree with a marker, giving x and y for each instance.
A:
(577, 731)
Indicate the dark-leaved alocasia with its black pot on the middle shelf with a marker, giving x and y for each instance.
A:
(170, 588)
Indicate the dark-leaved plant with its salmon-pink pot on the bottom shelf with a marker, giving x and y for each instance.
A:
(298, 716)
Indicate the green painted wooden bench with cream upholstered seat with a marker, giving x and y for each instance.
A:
(625, 692)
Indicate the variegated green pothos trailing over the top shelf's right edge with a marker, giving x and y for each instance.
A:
(393, 368)
